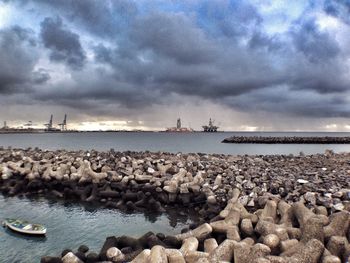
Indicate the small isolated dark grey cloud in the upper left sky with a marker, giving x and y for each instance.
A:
(63, 44)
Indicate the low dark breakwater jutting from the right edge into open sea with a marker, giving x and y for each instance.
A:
(287, 140)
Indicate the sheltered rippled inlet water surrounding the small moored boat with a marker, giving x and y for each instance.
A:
(70, 226)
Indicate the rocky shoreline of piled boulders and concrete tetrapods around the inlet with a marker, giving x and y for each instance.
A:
(272, 208)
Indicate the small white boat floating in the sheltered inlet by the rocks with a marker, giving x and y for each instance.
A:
(24, 227)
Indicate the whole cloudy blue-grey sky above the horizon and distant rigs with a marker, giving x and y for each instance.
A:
(253, 65)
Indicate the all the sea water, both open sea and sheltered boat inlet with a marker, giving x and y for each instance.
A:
(71, 225)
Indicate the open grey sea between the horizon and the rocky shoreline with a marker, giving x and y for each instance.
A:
(169, 142)
